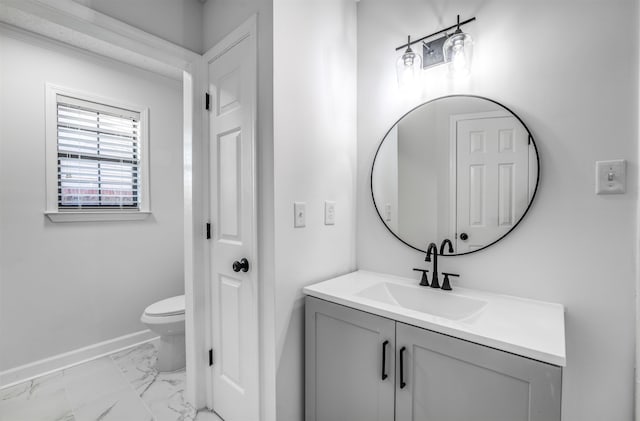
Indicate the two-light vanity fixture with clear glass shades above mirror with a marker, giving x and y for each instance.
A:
(455, 49)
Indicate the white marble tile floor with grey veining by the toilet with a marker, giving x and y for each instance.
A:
(120, 387)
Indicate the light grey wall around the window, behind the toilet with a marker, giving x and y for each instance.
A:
(68, 285)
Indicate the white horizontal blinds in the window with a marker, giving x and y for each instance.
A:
(98, 155)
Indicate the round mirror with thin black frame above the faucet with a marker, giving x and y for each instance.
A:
(459, 167)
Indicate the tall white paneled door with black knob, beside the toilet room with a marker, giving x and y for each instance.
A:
(233, 289)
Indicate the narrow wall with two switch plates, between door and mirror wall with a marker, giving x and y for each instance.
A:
(314, 160)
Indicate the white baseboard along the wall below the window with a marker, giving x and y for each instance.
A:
(71, 358)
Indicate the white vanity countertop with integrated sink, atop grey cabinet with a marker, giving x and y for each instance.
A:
(530, 328)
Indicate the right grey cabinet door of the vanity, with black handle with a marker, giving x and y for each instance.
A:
(449, 379)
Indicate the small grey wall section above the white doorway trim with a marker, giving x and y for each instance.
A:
(178, 21)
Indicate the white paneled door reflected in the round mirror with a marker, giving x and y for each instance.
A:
(492, 179)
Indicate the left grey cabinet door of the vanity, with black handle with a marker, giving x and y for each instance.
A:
(344, 364)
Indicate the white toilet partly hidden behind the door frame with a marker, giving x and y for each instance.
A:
(166, 318)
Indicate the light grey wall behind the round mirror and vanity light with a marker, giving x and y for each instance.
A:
(573, 247)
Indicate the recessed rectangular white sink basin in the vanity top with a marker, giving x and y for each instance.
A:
(424, 299)
